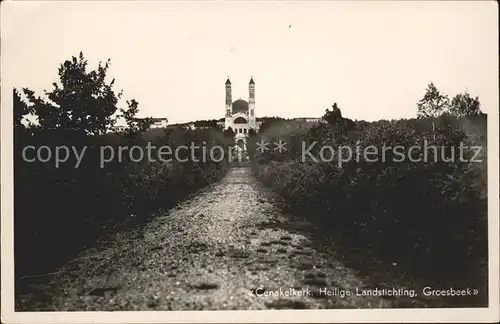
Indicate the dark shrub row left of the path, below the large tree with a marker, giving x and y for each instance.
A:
(59, 211)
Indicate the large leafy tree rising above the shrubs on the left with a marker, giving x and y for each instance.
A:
(83, 101)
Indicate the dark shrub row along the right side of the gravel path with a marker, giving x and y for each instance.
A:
(429, 216)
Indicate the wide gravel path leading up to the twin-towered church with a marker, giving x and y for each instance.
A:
(207, 253)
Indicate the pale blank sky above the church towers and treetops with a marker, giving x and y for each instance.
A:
(374, 59)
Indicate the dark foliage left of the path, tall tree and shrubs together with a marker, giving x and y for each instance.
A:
(61, 209)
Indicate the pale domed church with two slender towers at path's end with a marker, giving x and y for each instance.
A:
(240, 114)
